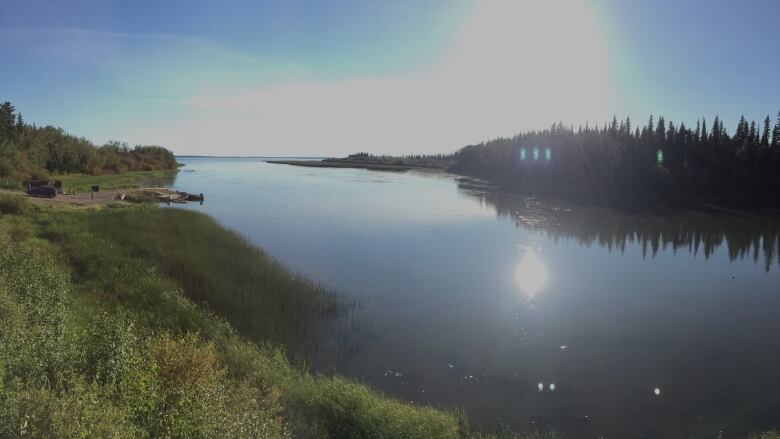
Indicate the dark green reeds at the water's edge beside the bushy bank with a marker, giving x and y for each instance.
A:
(211, 265)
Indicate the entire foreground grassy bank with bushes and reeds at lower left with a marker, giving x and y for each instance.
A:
(114, 323)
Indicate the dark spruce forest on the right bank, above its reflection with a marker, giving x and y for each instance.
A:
(618, 160)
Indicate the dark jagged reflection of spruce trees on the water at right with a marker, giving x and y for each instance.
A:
(700, 231)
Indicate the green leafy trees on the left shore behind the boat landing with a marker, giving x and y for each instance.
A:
(32, 152)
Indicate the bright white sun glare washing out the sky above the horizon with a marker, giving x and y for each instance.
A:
(511, 65)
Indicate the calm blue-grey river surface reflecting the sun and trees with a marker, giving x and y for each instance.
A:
(530, 314)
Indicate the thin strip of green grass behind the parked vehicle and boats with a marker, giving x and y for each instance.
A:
(84, 182)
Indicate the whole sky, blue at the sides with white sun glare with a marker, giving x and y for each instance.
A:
(329, 78)
